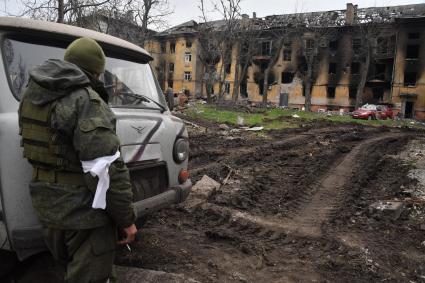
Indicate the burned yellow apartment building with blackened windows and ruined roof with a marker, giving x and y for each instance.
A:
(323, 60)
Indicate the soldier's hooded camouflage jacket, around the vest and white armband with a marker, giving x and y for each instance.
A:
(86, 122)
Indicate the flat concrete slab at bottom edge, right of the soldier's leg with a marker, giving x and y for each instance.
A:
(132, 274)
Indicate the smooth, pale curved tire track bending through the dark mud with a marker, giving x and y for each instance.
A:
(314, 210)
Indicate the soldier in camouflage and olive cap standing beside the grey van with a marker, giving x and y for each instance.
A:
(65, 120)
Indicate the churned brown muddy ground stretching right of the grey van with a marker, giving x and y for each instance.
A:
(294, 206)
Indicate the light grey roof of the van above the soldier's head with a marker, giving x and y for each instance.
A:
(72, 32)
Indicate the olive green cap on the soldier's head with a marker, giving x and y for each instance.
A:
(87, 54)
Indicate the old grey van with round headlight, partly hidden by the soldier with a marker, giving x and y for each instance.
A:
(155, 144)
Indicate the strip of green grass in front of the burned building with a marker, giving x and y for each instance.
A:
(282, 118)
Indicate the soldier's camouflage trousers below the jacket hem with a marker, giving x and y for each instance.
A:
(88, 255)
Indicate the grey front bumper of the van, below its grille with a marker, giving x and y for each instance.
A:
(173, 195)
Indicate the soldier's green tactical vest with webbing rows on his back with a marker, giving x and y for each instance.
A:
(44, 148)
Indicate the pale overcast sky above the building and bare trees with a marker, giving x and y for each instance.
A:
(185, 10)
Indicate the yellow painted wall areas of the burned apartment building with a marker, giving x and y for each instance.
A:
(343, 57)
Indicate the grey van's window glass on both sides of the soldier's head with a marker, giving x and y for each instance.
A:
(129, 84)
